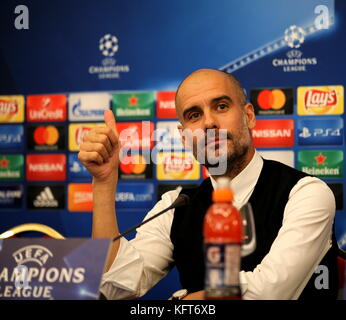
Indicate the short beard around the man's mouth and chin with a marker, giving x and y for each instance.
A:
(220, 158)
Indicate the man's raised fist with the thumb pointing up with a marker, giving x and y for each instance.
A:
(99, 151)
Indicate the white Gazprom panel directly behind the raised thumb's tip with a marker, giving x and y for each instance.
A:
(88, 106)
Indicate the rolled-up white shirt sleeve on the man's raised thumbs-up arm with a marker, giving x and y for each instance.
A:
(146, 259)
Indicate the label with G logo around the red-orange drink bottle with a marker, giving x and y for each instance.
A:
(222, 265)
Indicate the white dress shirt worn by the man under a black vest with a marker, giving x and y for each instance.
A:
(302, 242)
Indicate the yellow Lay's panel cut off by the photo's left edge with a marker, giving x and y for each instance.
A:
(11, 108)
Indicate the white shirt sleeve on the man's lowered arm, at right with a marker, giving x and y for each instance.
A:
(302, 242)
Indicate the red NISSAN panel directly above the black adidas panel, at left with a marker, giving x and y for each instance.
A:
(46, 167)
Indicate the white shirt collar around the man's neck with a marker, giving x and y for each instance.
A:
(244, 183)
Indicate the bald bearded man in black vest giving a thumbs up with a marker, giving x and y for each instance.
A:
(293, 212)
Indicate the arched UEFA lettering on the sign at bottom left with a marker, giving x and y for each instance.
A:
(33, 253)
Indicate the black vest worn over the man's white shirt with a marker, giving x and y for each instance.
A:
(268, 201)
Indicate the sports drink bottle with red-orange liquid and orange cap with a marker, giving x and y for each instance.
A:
(223, 235)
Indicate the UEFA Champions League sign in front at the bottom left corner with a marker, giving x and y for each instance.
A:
(51, 269)
